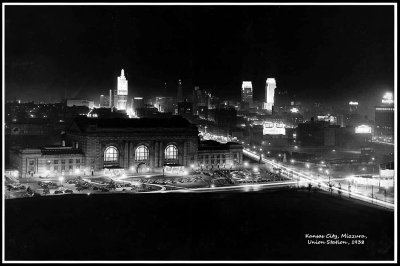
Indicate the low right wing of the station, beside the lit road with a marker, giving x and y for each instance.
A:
(215, 155)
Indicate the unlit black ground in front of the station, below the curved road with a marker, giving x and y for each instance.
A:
(264, 225)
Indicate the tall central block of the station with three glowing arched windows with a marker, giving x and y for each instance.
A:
(134, 144)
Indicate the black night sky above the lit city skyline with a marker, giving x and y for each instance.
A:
(326, 53)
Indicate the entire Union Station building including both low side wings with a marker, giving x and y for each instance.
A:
(102, 146)
